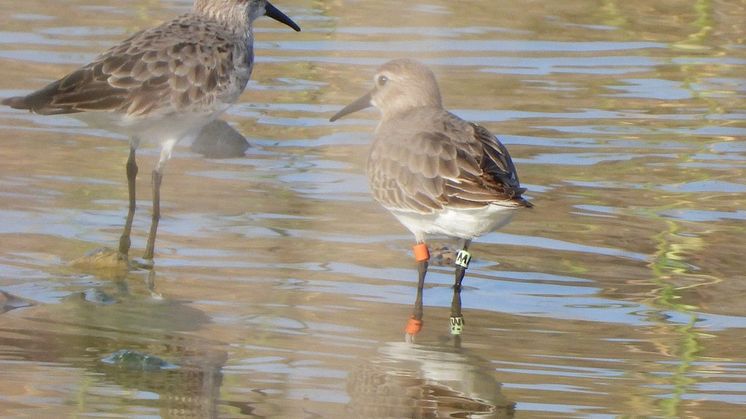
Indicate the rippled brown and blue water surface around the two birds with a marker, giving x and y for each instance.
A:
(281, 288)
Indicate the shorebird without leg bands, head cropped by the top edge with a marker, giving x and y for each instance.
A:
(161, 85)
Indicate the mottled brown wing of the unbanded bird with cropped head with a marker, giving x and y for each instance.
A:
(152, 69)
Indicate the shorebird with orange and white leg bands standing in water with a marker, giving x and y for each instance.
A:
(437, 173)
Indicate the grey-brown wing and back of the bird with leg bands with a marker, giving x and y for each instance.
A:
(460, 165)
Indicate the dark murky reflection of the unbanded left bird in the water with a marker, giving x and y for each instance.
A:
(131, 347)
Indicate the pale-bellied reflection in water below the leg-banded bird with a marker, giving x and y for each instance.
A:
(409, 380)
